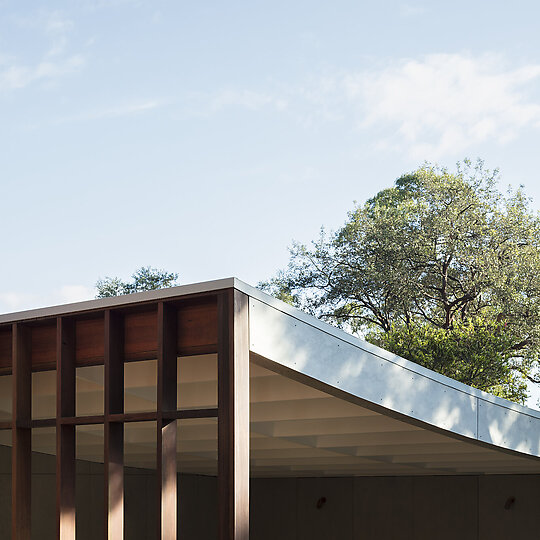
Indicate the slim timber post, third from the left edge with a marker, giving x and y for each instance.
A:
(114, 431)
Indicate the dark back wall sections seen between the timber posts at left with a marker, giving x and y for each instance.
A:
(197, 501)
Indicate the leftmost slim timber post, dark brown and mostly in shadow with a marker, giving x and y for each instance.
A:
(21, 433)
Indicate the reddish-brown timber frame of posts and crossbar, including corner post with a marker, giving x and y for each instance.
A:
(111, 332)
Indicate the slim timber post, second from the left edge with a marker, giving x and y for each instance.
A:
(65, 435)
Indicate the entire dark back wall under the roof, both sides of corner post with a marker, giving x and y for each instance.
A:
(377, 508)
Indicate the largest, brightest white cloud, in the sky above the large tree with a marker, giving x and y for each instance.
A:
(439, 105)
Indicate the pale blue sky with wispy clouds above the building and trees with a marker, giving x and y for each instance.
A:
(203, 137)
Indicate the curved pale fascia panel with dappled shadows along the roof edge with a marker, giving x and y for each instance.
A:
(342, 363)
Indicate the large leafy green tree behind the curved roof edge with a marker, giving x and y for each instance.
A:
(440, 268)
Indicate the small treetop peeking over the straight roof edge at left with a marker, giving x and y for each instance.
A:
(145, 278)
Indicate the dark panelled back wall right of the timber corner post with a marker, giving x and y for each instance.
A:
(397, 508)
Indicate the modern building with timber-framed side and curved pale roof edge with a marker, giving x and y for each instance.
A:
(212, 410)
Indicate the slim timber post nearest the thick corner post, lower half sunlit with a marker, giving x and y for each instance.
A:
(166, 429)
